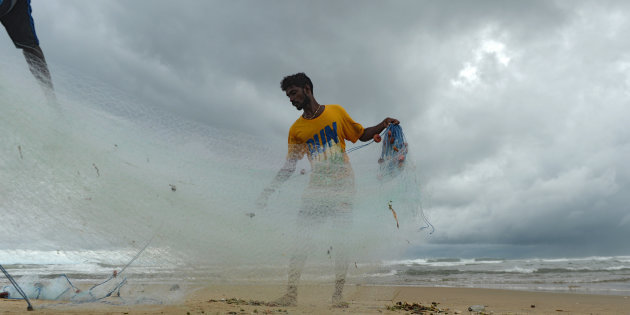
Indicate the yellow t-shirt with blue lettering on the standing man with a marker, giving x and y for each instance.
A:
(322, 139)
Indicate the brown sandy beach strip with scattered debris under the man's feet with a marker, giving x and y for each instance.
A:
(315, 299)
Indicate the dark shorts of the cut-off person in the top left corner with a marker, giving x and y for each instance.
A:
(19, 22)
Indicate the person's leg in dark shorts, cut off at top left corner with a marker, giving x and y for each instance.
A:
(17, 20)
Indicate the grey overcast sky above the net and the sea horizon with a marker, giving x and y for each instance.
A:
(515, 109)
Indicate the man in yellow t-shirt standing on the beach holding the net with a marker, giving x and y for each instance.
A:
(320, 134)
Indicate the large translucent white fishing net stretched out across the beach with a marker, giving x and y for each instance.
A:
(90, 180)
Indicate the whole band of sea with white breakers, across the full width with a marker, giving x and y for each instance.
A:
(586, 275)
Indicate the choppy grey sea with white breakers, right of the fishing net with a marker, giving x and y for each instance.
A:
(591, 275)
